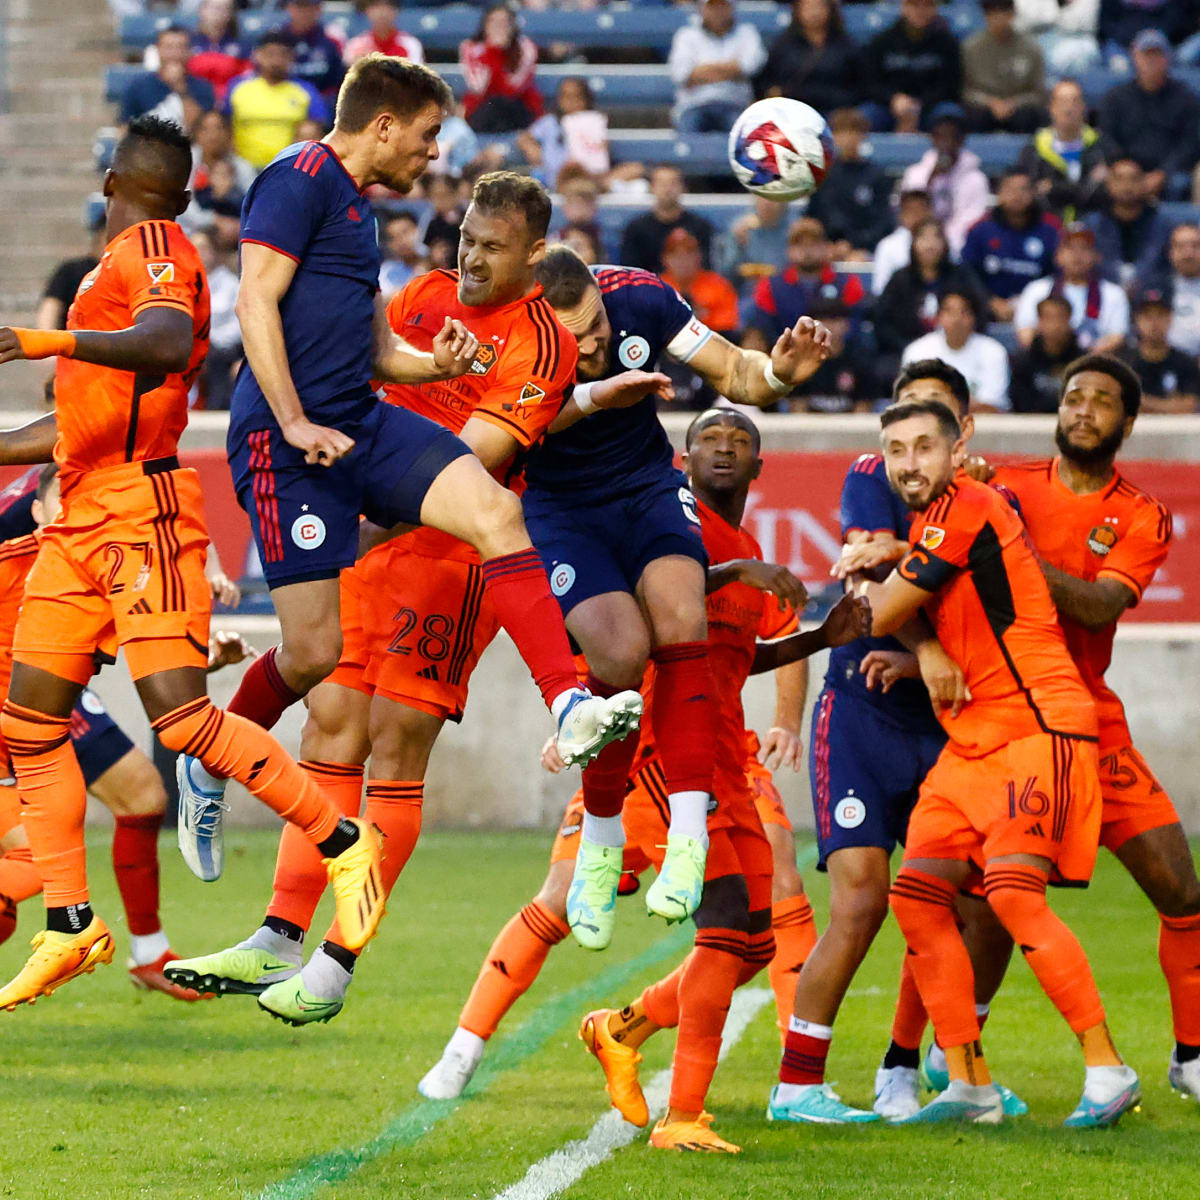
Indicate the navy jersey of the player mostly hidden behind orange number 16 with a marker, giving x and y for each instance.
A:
(869, 503)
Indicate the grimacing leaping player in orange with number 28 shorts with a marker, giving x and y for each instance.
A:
(416, 616)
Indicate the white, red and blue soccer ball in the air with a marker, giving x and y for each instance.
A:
(781, 149)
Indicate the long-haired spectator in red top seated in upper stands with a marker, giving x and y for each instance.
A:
(499, 65)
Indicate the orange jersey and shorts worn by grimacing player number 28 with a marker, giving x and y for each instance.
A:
(418, 620)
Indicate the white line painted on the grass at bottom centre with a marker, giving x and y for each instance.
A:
(557, 1172)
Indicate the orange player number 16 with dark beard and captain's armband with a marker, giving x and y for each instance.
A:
(1015, 797)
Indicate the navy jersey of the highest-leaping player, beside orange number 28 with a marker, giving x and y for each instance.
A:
(307, 206)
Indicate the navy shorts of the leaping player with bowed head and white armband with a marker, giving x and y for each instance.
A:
(596, 547)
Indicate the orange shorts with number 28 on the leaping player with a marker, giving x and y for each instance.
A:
(417, 629)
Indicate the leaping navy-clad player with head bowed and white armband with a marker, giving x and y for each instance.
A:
(619, 532)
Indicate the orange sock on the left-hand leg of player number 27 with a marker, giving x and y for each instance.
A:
(53, 797)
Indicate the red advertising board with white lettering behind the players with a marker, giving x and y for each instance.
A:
(794, 514)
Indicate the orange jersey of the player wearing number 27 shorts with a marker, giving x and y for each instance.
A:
(106, 416)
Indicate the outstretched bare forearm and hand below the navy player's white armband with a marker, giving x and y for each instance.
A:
(751, 377)
